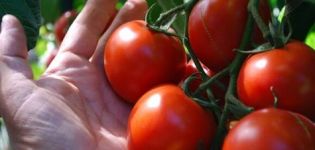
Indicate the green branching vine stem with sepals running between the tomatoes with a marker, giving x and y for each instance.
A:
(274, 34)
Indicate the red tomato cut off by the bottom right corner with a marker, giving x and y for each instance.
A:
(271, 129)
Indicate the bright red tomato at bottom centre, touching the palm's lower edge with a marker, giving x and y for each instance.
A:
(166, 119)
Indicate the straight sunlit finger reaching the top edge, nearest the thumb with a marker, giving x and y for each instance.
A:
(82, 36)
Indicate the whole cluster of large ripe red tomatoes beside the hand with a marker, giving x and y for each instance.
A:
(146, 68)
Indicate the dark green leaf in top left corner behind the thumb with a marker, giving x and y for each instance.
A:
(28, 12)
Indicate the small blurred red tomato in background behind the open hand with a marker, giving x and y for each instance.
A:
(62, 25)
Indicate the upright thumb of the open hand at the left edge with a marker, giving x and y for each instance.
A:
(13, 49)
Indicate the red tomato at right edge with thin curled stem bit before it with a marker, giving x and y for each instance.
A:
(289, 70)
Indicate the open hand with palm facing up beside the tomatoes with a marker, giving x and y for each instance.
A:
(72, 105)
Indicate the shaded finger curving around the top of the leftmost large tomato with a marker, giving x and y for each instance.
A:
(132, 10)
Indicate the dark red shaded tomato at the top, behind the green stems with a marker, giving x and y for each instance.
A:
(215, 28)
